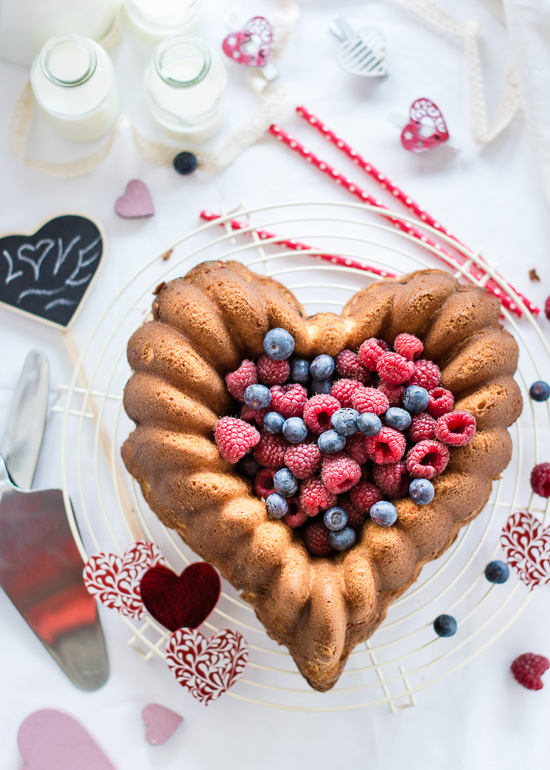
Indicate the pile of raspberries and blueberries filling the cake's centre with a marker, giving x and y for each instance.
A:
(330, 442)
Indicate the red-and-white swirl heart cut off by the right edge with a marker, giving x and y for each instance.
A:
(527, 548)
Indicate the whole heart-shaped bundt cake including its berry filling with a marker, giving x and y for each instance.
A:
(209, 328)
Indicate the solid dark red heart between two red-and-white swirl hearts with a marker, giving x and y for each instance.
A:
(181, 601)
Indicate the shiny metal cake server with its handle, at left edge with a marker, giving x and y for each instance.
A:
(40, 565)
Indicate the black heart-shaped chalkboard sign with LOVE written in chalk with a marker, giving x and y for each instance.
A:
(47, 274)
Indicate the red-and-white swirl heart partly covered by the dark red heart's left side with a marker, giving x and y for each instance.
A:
(115, 580)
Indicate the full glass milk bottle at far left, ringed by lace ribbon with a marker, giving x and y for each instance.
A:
(73, 81)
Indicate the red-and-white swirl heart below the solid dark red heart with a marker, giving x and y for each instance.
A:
(206, 667)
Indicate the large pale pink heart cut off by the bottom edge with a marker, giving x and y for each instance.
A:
(52, 740)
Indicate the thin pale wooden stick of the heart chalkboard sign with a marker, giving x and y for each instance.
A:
(105, 441)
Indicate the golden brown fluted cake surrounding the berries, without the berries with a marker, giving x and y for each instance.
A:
(204, 325)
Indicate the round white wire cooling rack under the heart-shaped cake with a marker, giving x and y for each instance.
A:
(108, 512)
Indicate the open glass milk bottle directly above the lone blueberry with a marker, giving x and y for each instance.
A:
(185, 81)
